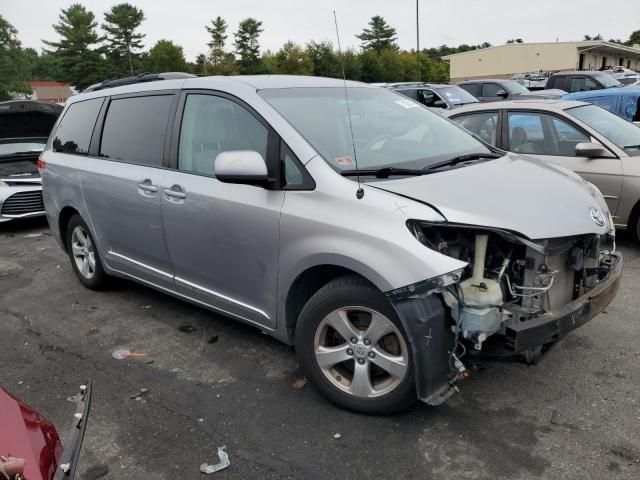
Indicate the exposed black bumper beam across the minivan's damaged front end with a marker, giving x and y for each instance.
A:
(550, 326)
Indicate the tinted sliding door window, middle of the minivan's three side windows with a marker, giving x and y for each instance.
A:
(135, 128)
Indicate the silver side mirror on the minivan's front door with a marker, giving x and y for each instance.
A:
(241, 166)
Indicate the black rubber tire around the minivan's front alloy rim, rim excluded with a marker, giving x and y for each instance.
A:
(350, 291)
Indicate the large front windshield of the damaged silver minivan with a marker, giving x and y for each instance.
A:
(389, 130)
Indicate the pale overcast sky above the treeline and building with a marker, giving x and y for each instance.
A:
(441, 22)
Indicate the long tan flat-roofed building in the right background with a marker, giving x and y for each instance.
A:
(504, 61)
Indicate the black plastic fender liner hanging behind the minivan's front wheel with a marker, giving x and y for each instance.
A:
(427, 325)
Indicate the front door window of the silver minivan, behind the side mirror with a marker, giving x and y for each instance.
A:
(211, 125)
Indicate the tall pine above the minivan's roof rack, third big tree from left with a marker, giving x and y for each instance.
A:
(120, 24)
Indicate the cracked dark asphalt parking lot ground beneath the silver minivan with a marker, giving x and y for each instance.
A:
(575, 415)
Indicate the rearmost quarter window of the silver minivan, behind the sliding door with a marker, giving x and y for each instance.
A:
(74, 132)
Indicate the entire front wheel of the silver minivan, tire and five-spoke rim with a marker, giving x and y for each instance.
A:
(353, 349)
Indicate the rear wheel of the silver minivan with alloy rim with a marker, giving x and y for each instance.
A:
(84, 256)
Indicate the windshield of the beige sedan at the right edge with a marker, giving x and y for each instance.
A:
(616, 129)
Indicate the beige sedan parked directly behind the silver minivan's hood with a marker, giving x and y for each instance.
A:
(600, 146)
